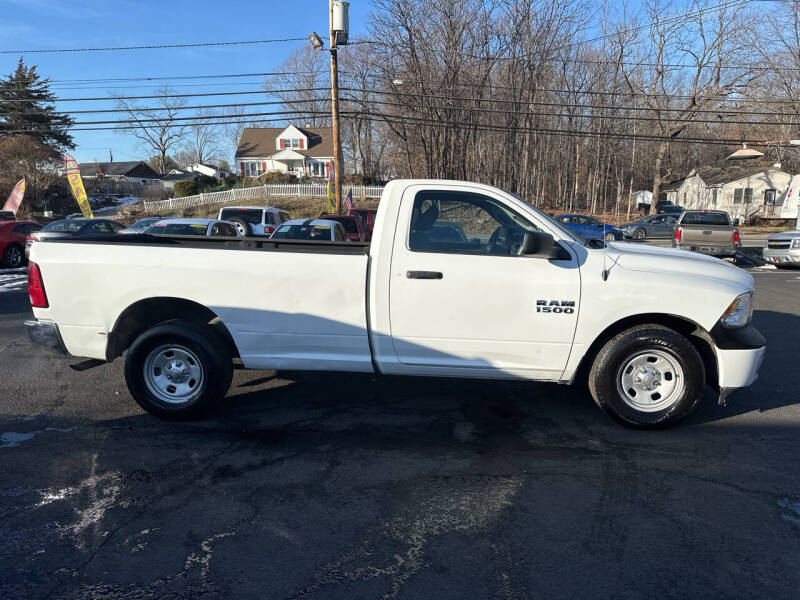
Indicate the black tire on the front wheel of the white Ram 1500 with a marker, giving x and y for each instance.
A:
(605, 377)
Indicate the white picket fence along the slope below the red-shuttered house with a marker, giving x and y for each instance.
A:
(262, 192)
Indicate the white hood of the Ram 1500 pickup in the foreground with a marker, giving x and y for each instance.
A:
(638, 257)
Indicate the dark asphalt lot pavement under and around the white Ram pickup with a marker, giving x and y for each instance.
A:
(334, 486)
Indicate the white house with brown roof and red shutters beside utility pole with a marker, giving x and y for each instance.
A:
(299, 151)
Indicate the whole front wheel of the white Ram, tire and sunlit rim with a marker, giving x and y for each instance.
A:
(648, 377)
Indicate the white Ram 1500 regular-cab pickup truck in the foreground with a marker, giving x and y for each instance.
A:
(460, 280)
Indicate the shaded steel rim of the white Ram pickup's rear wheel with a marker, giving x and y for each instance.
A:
(173, 374)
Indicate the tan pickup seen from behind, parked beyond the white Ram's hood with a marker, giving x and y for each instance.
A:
(708, 232)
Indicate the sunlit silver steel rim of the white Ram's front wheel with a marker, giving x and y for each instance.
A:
(650, 381)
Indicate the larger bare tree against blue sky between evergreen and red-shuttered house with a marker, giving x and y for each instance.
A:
(155, 126)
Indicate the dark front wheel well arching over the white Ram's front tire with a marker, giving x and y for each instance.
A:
(698, 336)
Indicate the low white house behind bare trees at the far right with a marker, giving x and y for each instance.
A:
(742, 191)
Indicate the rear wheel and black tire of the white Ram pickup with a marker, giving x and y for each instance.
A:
(204, 347)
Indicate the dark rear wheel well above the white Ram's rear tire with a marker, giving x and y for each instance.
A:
(145, 314)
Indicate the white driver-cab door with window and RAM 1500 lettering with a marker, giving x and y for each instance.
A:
(463, 300)
